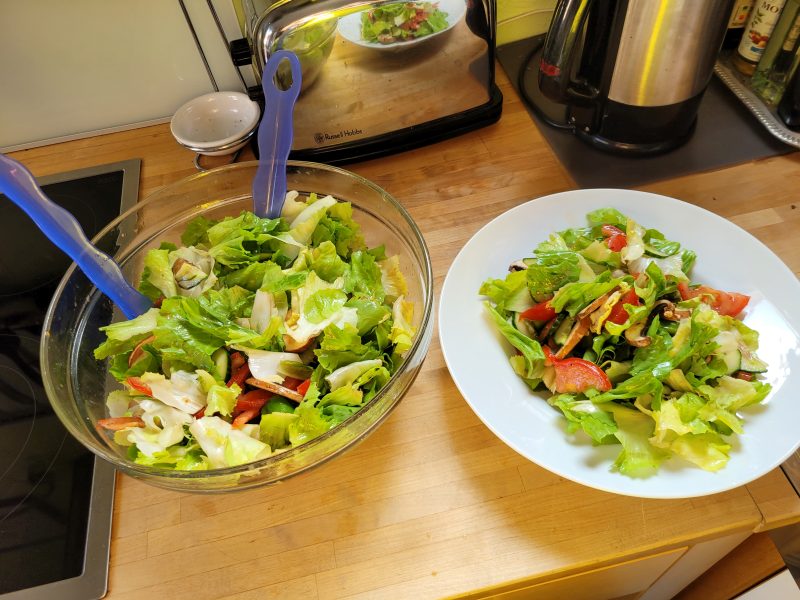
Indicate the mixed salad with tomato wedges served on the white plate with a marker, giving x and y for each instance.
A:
(606, 318)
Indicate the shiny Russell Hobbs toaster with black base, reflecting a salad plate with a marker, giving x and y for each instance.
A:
(370, 89)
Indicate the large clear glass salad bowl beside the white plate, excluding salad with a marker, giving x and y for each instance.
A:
(77, 385)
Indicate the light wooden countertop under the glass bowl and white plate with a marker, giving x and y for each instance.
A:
(432, 504)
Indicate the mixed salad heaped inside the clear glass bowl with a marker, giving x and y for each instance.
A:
(265, 333)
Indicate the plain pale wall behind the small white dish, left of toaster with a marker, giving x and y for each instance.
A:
(71, 69)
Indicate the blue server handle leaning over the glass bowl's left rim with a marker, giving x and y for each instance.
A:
(61, 227)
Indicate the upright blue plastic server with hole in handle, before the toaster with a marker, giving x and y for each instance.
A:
(275, 136)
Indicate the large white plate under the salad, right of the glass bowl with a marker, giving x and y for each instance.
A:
(727, 258)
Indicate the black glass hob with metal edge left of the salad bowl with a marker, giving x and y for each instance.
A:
(56, 497)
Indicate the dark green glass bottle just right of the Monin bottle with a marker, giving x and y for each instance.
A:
(779, 59)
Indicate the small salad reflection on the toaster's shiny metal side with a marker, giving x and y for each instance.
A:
(402, 22)
